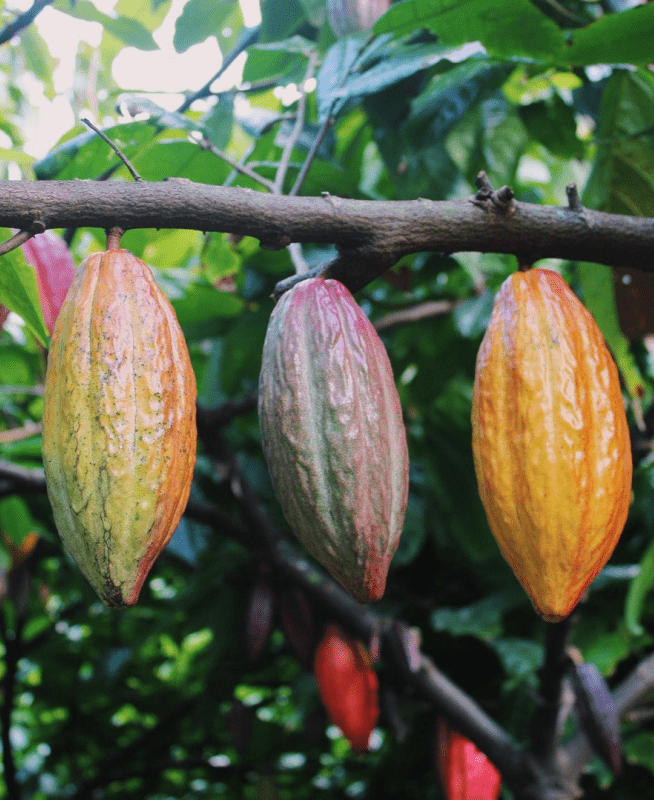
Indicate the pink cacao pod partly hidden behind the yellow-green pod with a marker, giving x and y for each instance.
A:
(53, 263)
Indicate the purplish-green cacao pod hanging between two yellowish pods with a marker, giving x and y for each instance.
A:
(333, 433)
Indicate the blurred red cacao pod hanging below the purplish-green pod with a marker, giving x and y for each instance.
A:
(348, 686)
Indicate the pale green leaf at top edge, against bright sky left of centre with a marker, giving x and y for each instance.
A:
(203, 18)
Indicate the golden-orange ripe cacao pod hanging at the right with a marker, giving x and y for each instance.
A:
(550, 440)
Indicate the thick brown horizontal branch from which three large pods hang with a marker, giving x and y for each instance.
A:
(370, 235)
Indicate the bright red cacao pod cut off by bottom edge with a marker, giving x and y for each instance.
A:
(465, 772)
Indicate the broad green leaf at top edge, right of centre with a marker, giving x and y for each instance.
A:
(510, 29)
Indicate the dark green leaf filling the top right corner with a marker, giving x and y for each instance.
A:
(625, 38)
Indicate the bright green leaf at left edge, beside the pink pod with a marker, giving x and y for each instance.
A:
(18, 290)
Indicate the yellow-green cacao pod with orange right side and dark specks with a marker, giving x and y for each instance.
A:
(119, 433)
